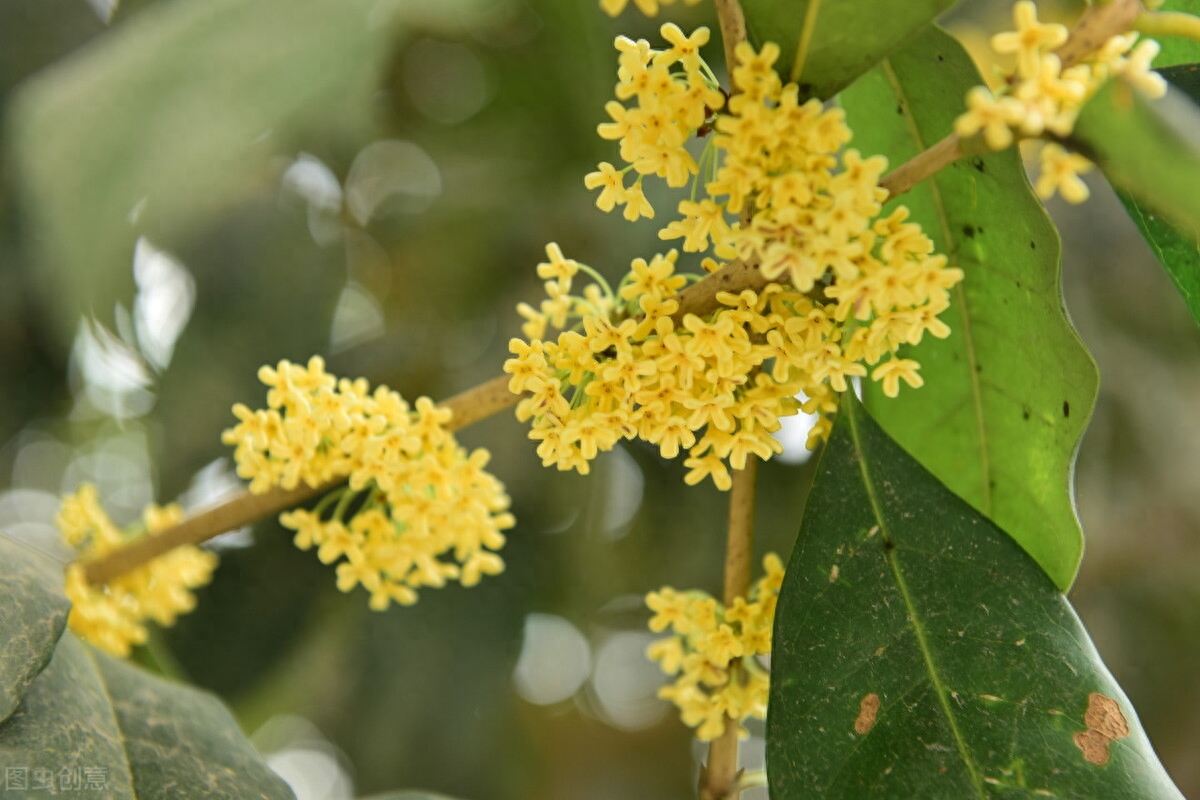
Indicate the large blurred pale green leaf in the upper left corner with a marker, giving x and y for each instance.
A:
(172, 117)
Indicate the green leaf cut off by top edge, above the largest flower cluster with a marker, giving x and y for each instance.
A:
(827, 44)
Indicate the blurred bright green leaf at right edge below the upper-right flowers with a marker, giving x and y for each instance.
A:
(1151, 149)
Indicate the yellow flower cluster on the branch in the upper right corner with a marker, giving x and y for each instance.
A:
(1042, 98)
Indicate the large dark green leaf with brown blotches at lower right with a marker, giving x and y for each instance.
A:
(920, 653)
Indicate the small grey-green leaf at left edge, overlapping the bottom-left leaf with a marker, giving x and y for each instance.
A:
(33, 616)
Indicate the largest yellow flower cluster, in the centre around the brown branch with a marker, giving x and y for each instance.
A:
(628, 365)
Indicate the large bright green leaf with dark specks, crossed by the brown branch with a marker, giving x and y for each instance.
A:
(1009, 395)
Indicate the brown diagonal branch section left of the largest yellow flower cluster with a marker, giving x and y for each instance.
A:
(469, 407)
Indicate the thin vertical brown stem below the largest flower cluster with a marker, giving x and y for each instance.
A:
(719, 779)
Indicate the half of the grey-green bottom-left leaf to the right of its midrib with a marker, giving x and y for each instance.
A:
(182, 741)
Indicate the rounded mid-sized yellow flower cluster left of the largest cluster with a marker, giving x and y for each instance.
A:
(418, 512)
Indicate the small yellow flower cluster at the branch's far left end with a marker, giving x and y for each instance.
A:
(113, 617)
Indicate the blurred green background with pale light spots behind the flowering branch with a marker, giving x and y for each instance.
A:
(190, 191)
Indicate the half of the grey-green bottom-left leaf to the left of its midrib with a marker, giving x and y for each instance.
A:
(64, 737)
